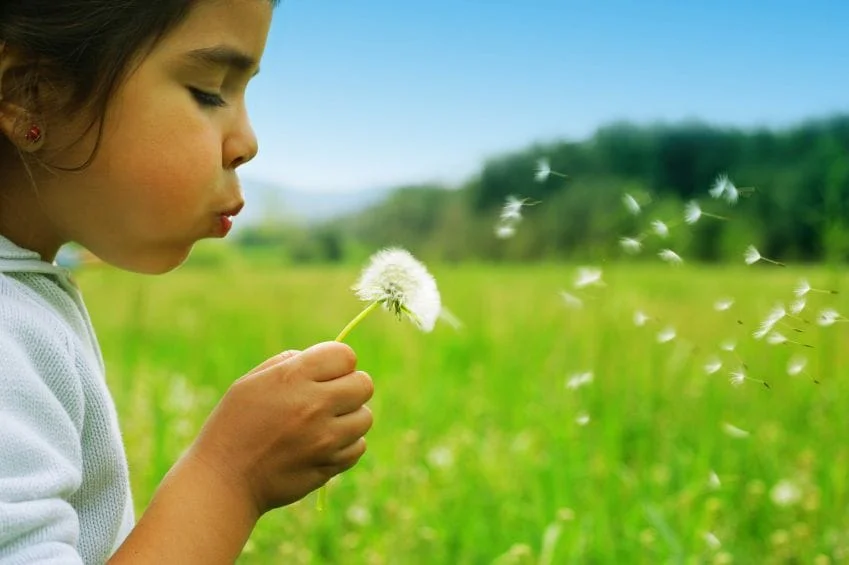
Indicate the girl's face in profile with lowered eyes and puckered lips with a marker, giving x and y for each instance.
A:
(165, 174)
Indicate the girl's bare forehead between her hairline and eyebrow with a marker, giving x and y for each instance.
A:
(235, 25)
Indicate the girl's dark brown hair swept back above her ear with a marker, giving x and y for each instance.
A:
(86, 46)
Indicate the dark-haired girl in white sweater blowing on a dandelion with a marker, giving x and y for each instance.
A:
(123, 126)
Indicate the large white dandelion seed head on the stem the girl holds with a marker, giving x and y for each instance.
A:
(403, 285)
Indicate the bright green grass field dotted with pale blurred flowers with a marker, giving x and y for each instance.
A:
(480, 453)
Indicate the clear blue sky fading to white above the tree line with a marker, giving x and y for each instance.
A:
(360, 94)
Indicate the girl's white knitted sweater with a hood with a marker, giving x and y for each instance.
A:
(64, 488)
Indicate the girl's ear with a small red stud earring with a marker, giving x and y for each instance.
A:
(16, 120)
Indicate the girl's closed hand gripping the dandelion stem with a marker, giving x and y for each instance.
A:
(289, 425)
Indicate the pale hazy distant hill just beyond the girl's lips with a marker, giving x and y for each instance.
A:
(268, 202)
